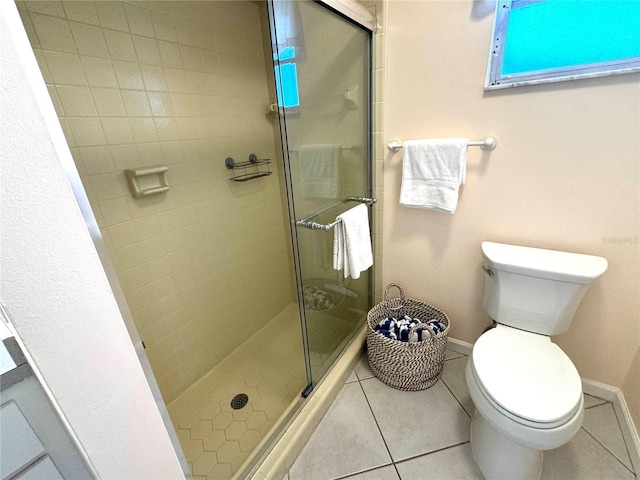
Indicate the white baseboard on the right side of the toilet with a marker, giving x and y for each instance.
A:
(628, 428)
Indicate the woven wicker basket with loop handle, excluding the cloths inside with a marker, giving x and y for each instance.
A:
(403, 365)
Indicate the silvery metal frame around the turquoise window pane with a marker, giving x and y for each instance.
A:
(495, 80)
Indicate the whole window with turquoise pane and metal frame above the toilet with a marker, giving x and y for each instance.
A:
(537, 41)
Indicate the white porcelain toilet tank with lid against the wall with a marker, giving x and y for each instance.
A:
(534, 289)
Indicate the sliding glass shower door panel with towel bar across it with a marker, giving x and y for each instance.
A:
(322, 65)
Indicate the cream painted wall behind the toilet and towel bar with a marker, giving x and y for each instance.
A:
(563, 176)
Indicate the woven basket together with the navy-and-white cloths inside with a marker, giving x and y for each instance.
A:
(415, 364)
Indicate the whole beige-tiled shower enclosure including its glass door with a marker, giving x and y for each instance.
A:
(217, 141)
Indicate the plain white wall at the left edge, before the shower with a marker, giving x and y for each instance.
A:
(54, 288)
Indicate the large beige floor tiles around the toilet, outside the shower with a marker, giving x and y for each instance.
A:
(373, 432)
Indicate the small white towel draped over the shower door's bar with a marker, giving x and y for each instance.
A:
(352, 242)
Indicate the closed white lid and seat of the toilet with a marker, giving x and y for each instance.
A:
(526, 377)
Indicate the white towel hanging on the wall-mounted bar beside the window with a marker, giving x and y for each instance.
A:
(432, 172)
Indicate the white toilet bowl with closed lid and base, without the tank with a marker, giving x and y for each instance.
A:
(522, 407)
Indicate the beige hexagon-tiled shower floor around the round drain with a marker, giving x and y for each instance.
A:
(216, 438)
